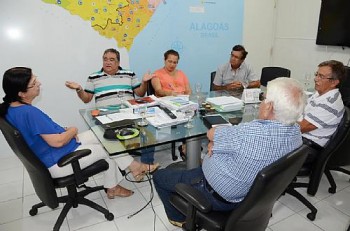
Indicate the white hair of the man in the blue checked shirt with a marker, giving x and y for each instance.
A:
(288, 98)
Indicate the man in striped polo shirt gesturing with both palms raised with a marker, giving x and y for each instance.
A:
(108, 83)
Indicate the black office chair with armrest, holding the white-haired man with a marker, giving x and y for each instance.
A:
(254, 211)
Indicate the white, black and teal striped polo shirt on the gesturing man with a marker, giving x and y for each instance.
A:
(105, 87)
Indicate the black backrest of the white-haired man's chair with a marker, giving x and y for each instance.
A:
(255, 210)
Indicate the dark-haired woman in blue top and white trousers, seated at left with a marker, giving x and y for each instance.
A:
(50, 141)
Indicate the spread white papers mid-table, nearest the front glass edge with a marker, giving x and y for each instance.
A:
(161, 119)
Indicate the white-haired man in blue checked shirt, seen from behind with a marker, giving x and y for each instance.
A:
(237, 153)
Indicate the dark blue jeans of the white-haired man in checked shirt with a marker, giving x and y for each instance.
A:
(165, 181)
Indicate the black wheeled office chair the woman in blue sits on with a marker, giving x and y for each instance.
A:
(45, 186)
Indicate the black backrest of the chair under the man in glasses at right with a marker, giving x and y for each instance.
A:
(337, 143)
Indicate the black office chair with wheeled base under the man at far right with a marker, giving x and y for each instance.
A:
(316, 170)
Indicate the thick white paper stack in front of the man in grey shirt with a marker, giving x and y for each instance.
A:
(226, 103)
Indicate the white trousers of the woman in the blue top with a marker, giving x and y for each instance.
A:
(112, 175)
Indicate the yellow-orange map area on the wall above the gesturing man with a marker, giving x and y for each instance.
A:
(121, 20)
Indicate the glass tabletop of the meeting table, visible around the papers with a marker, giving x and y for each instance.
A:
(150, 136)
